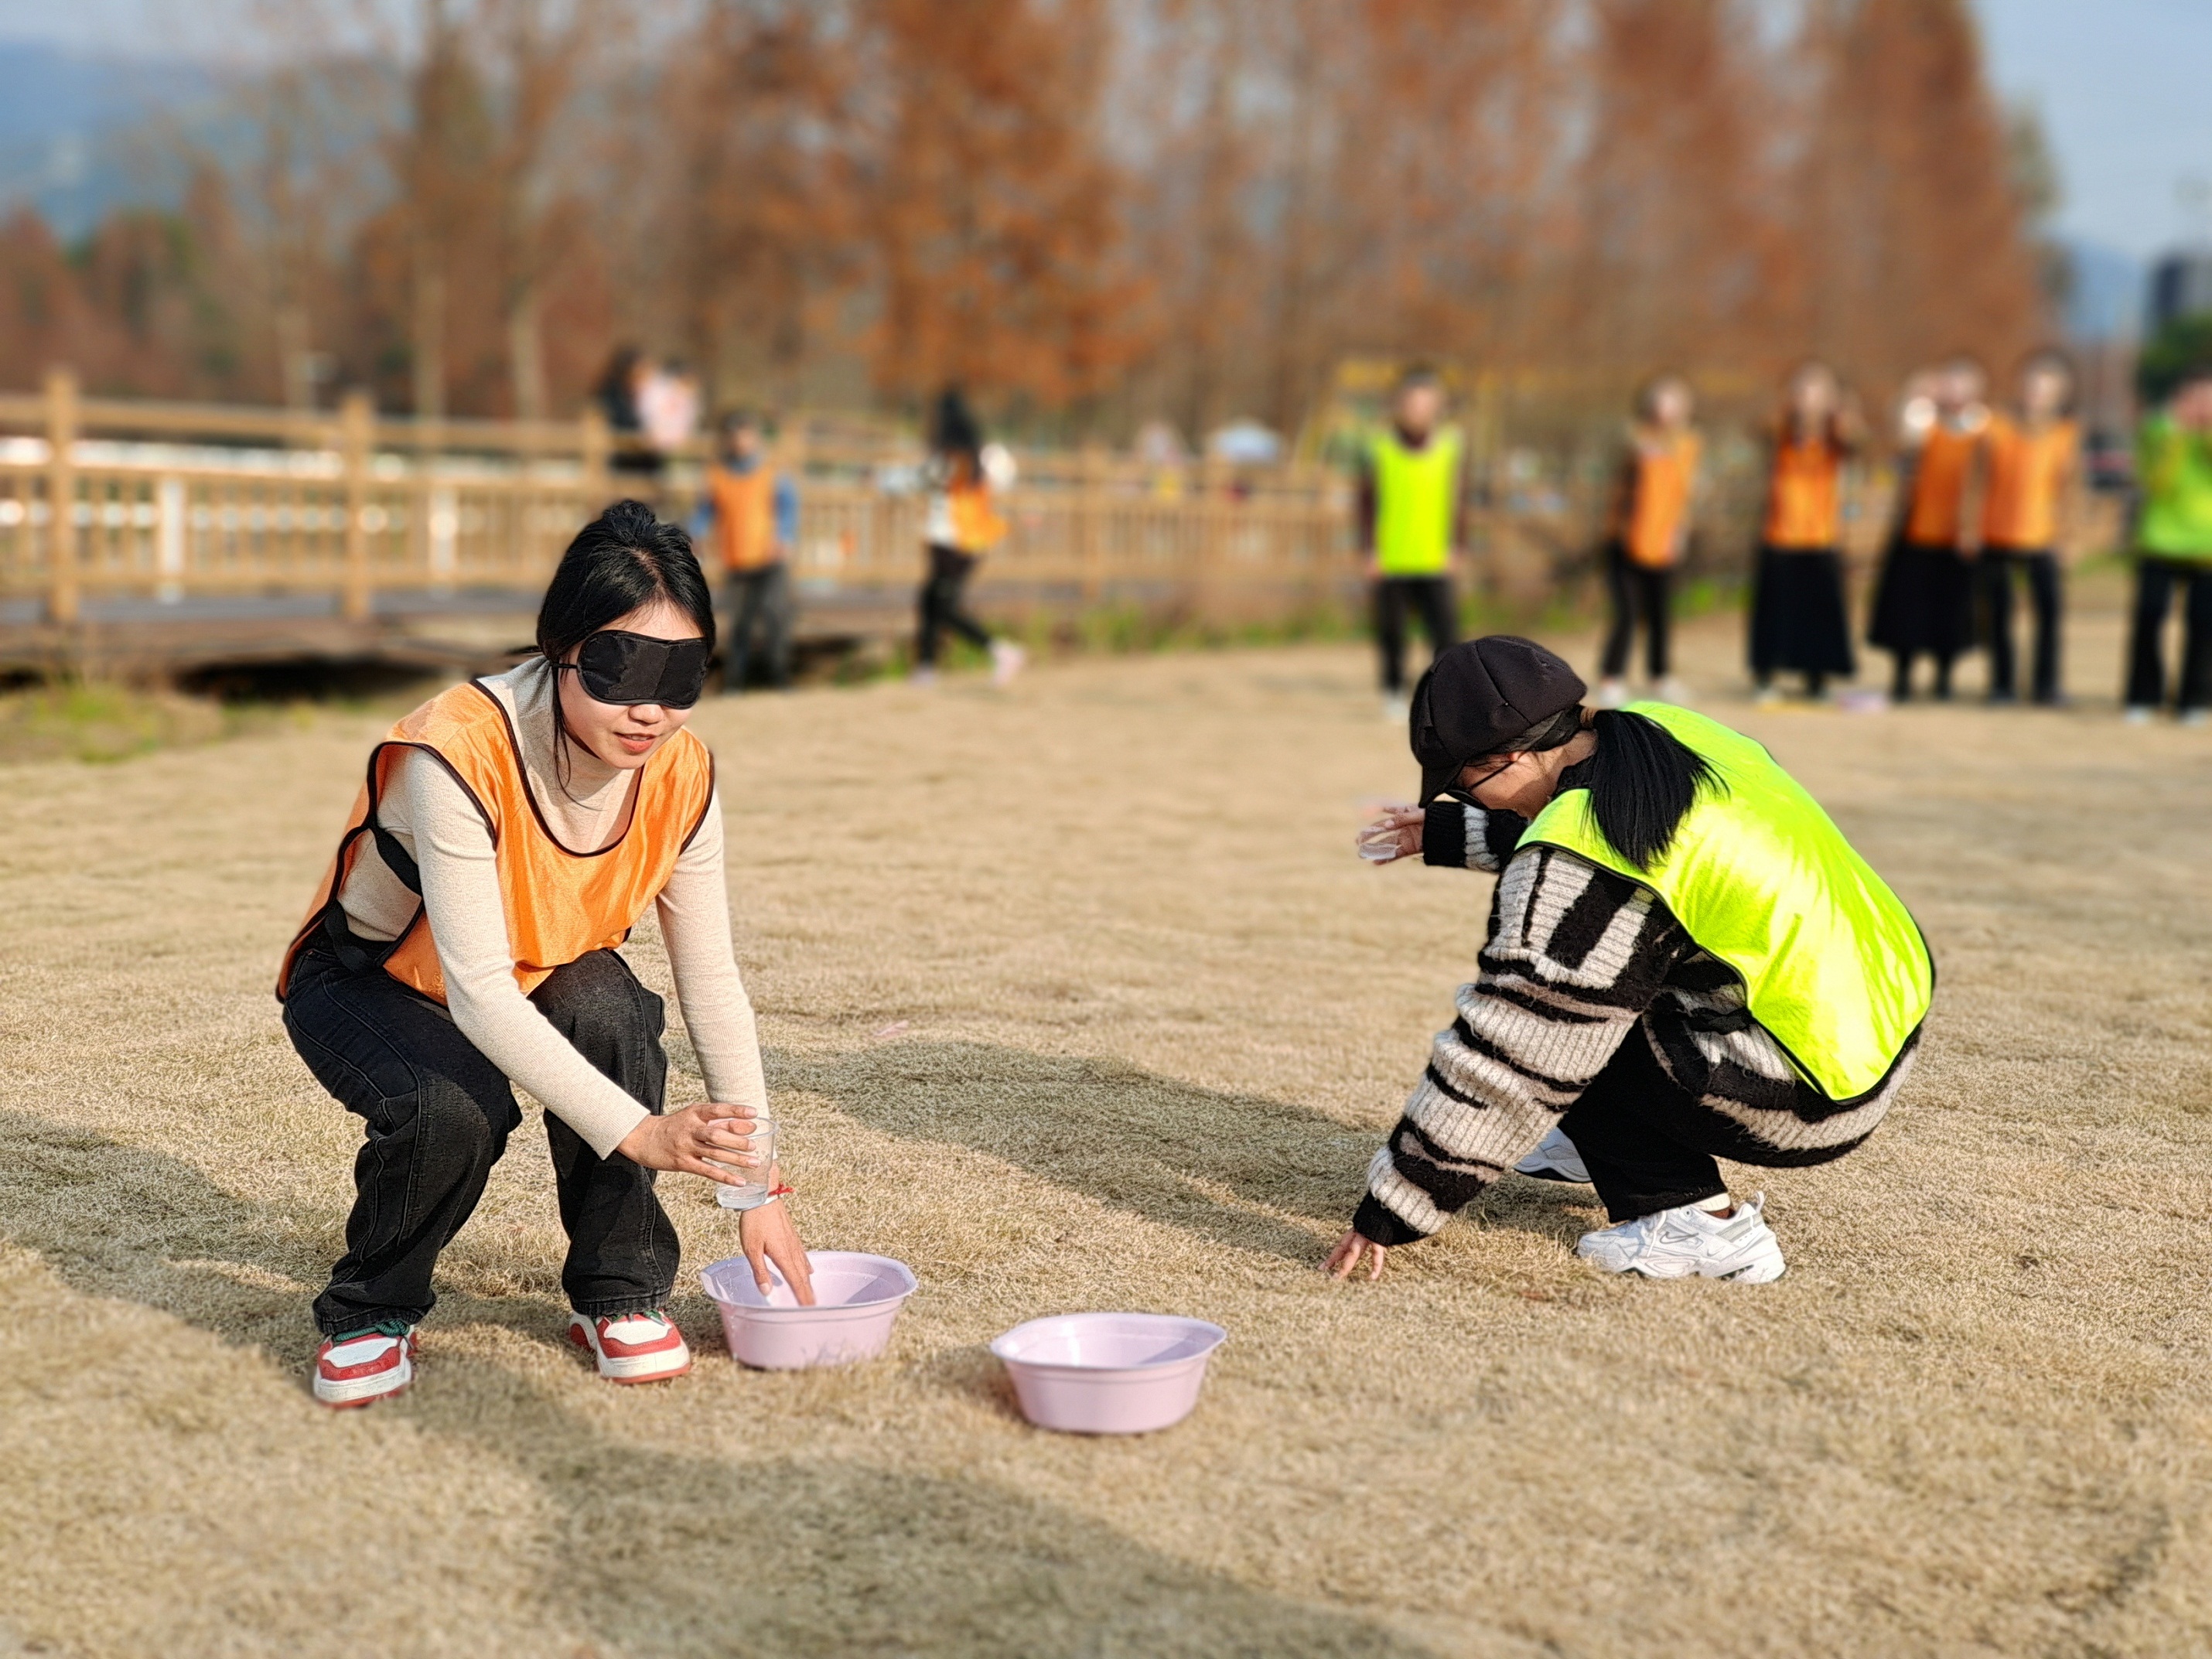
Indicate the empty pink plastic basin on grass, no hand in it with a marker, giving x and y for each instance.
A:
(1109, 1373)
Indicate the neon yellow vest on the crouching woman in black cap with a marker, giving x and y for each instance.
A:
(1833, 963)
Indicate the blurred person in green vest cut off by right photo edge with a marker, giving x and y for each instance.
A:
(2173, 545)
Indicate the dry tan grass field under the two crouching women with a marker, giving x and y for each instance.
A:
(1078, 999)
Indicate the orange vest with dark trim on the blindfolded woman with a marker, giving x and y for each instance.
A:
(561, 904)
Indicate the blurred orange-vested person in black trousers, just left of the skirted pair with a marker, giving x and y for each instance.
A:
(1649, 534)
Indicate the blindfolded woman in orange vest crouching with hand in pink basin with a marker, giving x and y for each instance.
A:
(510, 837)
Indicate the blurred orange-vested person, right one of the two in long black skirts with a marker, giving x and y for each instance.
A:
(1923, 603)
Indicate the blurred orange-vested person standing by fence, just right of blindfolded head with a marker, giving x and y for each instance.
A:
(751, 512)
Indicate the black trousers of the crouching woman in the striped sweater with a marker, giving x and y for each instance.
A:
(1647, 1140)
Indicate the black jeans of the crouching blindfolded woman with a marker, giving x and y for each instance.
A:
(439, 1116)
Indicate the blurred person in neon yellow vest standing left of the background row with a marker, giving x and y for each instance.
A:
(1410, 523)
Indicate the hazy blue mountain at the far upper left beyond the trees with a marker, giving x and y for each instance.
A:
(67, 127)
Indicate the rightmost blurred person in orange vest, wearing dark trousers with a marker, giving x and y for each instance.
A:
(2030, 494)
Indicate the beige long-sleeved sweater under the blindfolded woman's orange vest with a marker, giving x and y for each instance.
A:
(461, 890)
